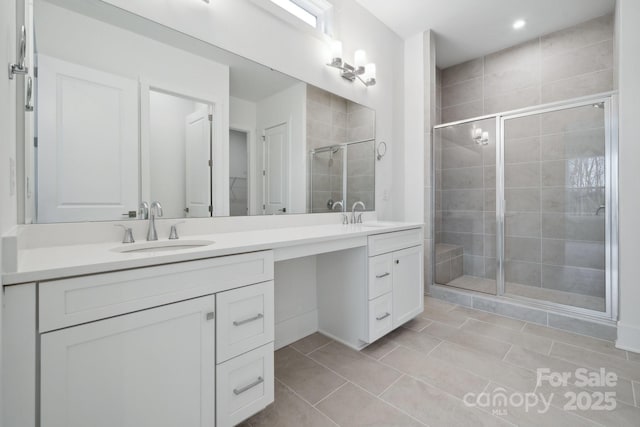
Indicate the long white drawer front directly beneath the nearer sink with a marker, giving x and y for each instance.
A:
(84, 299)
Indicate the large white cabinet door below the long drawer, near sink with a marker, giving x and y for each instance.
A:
(151, 368)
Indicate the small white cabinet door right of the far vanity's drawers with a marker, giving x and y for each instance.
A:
(408, 285)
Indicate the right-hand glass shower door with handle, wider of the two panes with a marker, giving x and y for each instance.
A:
(556, 177)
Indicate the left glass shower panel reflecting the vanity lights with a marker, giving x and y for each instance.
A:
(465, 205)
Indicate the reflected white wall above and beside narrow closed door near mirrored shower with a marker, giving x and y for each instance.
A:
(288, 106)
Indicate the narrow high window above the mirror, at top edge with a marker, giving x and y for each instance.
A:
(314, 15)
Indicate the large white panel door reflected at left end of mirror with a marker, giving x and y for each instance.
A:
(87, 143)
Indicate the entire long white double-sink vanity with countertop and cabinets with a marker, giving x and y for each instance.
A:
(98, 336)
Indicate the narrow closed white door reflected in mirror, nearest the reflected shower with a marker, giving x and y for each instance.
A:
(276, 170)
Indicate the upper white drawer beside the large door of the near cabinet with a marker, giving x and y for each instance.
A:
(245, 319)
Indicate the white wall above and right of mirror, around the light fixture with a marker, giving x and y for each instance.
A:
(285, 48)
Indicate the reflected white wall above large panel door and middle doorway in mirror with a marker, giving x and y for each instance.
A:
(76, 38)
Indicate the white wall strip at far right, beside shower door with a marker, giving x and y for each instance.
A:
(628, 15)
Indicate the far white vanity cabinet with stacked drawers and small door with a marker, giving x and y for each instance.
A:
(366, 292)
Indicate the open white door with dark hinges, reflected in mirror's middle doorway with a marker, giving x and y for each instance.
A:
(198, 167)
